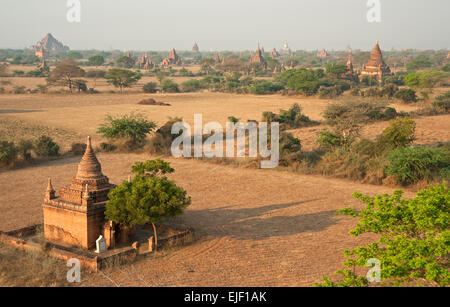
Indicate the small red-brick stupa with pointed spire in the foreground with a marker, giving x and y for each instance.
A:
(76, 216)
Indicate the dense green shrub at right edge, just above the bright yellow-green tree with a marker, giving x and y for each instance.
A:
(412, 164)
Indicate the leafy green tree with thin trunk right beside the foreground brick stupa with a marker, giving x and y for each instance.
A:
(149, 197)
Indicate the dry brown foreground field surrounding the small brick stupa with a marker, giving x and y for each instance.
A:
(254, 227)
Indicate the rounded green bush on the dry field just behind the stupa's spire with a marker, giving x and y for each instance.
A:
(131, 127)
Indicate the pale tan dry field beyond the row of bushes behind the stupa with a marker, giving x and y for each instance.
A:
(87, 112)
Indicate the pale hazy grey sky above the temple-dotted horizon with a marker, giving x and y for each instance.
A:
(227, 24)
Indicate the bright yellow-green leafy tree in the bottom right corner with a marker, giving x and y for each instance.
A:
(414, 238)
